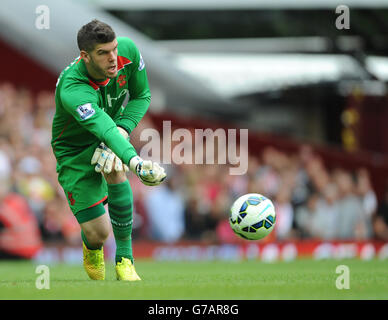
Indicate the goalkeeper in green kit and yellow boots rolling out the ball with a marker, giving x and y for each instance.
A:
(100, 98)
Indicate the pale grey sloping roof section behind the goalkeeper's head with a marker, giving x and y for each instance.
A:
(56, 47)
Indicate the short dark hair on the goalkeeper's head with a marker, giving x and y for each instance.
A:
(93, 33)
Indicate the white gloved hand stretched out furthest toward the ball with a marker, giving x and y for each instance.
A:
(150, 173)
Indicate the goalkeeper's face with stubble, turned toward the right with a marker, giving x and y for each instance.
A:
(102, 61)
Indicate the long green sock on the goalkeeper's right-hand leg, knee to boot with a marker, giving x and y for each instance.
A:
(120, 204)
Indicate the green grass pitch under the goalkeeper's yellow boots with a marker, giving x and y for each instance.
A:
(253, 280)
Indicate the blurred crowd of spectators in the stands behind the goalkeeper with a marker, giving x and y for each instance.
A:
(194, 202)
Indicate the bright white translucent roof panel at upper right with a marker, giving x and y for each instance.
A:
(233, 74)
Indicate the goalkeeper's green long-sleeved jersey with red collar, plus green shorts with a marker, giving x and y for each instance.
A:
(88, 112)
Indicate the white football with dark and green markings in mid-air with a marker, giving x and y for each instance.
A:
(252, 216)
